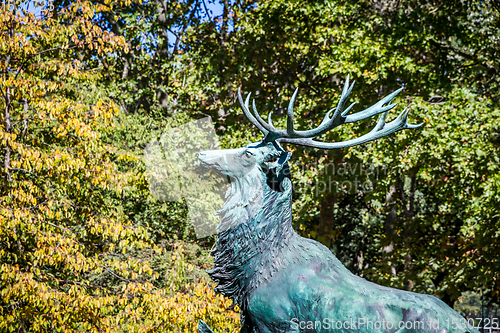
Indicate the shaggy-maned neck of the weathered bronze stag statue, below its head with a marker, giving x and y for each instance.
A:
(255, 244)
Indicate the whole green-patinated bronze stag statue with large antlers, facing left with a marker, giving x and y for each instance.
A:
(283, 282)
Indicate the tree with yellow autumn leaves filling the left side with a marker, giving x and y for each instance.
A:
(70, 259)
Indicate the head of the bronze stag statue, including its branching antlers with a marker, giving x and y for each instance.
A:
(267, 158)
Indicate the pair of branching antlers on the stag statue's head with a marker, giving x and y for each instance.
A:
(330, 121)
